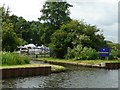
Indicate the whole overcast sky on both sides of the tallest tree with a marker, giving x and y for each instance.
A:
(102, 13)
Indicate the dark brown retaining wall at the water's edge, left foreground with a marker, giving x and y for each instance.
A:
(24, 72)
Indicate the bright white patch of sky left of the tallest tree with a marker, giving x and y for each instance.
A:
(29, 9)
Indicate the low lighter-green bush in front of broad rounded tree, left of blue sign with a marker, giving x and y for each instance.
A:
(82, 53)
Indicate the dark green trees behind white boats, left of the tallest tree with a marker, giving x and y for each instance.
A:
(31, 32)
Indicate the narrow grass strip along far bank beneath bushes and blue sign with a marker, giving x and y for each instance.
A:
(92, 62)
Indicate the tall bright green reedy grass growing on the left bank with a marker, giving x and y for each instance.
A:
(9, 58)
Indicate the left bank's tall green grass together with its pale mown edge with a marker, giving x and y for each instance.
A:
(13, 60)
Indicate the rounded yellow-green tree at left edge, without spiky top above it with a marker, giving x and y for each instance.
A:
(10, 40)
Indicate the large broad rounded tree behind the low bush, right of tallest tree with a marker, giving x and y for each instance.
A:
(76, 33)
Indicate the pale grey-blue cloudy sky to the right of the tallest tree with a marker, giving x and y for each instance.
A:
(102, 14)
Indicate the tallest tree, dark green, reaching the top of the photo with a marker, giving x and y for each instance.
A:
(54, 14)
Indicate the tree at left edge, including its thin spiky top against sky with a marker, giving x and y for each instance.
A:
(10, 41)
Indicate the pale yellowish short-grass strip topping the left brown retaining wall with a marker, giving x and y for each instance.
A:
(54, 68)
